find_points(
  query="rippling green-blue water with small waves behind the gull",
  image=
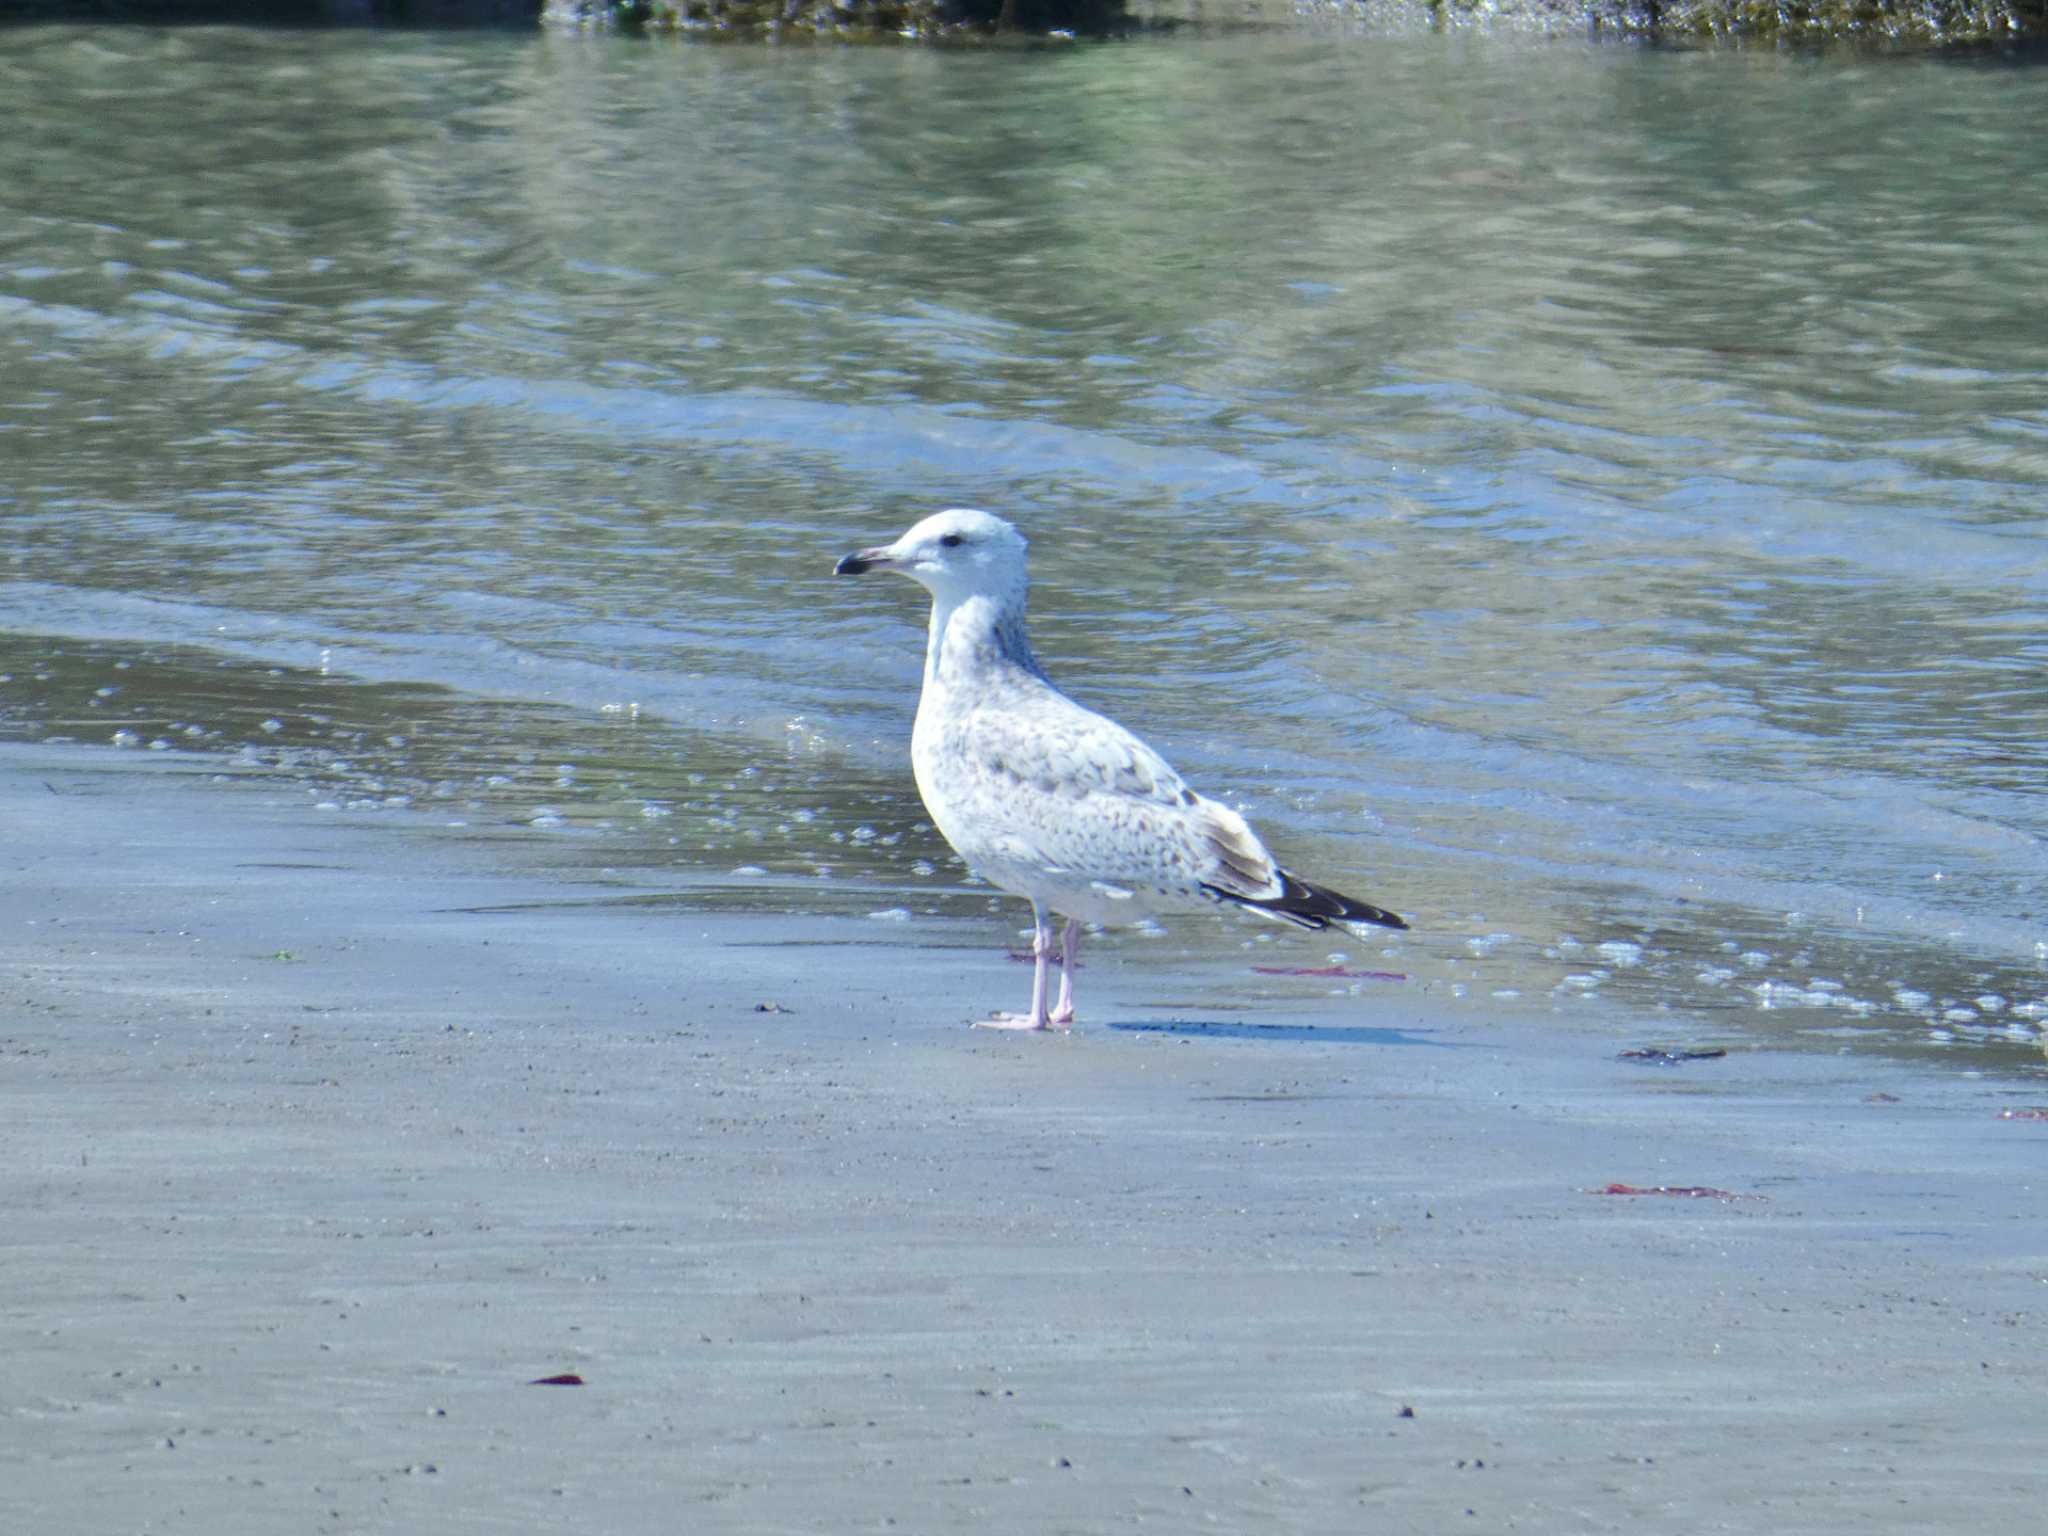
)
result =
(1588, 499)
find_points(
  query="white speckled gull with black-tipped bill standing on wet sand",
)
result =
(1050, 800)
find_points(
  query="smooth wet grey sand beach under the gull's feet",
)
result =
(323, 1138)
